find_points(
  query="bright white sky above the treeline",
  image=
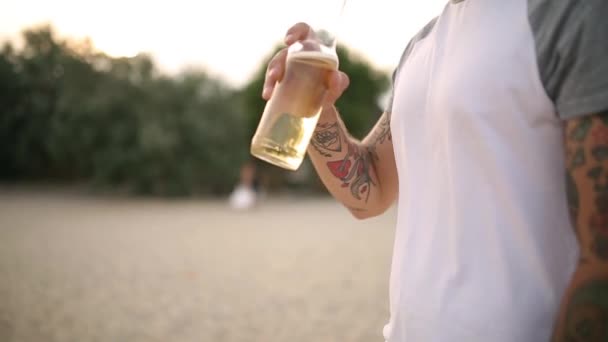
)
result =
(227, 37)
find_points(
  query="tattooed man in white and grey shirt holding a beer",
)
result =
(493, 103)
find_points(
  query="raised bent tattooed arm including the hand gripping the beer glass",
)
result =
(361, 175)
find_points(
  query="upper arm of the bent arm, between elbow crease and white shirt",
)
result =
(380, 144)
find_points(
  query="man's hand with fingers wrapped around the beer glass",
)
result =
(337, 81)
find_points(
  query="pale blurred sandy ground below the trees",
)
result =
(81, 268)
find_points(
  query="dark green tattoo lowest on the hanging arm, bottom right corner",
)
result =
(587, 313)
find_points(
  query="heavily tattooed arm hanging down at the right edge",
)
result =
(584, 313)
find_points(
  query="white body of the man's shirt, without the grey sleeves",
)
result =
(484, 248)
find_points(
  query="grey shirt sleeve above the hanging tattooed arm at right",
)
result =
(571, 38)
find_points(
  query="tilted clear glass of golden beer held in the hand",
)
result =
(291, 114)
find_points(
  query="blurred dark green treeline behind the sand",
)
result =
(69, 113)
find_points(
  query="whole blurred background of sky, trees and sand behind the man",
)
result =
(124, 131)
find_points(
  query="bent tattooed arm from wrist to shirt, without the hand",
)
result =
(361, 175)
